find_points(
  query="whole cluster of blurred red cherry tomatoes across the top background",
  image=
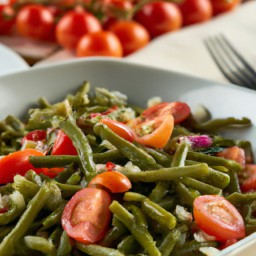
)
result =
(105, 27)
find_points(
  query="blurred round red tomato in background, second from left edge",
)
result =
(35, 21)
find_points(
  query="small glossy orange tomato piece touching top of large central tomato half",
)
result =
(115, 181)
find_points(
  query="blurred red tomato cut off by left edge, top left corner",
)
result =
(7, 19)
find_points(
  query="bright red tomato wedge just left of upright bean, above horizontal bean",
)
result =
(63, 145)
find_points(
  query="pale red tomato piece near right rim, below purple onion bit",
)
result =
(233, 153)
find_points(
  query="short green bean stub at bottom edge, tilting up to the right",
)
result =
(169, 241)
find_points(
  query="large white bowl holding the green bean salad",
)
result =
(18, 91)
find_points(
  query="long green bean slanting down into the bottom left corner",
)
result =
(25, 221)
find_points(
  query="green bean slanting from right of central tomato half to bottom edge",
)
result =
(141, 234)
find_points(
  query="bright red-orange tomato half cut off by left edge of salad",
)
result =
(18, 163)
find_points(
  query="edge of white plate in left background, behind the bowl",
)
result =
(10, 61)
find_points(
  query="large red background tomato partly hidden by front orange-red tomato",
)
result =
(73, 25)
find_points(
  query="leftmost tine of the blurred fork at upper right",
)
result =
(221, 62)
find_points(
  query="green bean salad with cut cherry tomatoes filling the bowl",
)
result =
(95, 175)
